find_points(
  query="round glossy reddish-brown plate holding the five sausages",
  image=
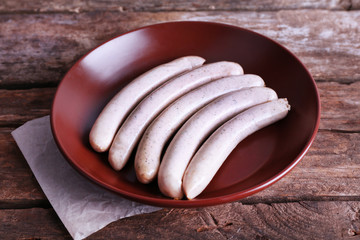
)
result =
(256, 163)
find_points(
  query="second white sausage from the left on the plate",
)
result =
(130, 132)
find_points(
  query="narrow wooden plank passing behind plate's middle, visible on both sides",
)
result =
(340, 103)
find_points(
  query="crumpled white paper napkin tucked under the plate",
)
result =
(82, 206)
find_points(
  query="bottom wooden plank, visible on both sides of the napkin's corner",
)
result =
(298, 220)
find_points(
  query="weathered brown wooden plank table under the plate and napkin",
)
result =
(319, 199)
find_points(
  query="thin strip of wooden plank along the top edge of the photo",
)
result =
(169, 5)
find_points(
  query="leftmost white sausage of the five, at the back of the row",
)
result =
(115, 112)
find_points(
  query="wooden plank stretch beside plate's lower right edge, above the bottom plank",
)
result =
(330, 170)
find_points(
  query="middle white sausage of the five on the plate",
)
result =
(147, 159)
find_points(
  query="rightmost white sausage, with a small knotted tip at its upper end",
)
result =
(220, 144)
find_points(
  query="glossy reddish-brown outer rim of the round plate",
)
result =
(168, 202)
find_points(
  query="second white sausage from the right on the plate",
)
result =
(187, 140)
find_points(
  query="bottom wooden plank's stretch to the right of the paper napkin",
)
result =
(300, 220)
